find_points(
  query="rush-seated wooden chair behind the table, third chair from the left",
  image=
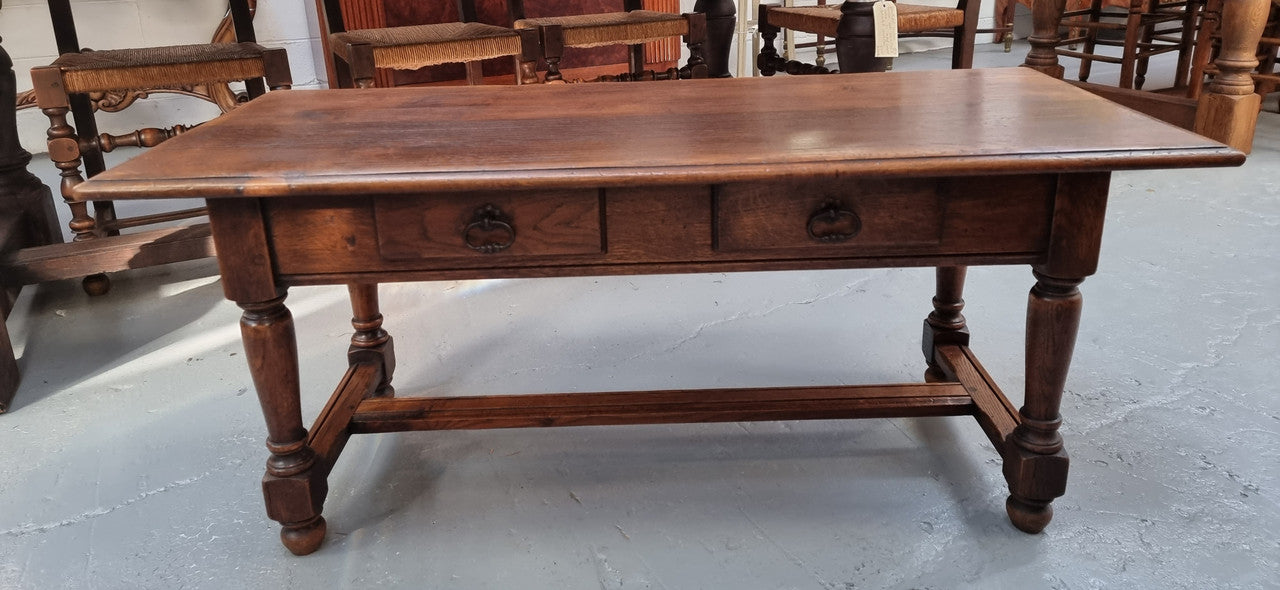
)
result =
(632, 28)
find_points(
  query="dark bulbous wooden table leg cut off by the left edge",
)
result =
(28, 216)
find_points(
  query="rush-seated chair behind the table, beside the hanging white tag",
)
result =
(843, 21)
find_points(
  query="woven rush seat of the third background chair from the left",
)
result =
(614, 29)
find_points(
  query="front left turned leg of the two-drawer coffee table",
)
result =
(295, 486)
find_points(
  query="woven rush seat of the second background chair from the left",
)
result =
(410, 48)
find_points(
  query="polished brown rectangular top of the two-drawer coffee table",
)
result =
(392, 141)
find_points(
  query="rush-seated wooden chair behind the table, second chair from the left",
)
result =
(358, 54)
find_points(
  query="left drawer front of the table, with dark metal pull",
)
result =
(490, 226)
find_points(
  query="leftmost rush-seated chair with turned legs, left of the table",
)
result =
(80, 81)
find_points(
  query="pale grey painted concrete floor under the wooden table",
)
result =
(134, 452)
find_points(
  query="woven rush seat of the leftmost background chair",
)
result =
(161, 67)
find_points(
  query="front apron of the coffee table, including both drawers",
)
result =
(820, 223)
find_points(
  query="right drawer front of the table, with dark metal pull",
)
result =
(842, 216)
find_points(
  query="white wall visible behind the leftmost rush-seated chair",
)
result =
(29, 38)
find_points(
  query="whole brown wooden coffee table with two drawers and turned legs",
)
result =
(867, 171)
